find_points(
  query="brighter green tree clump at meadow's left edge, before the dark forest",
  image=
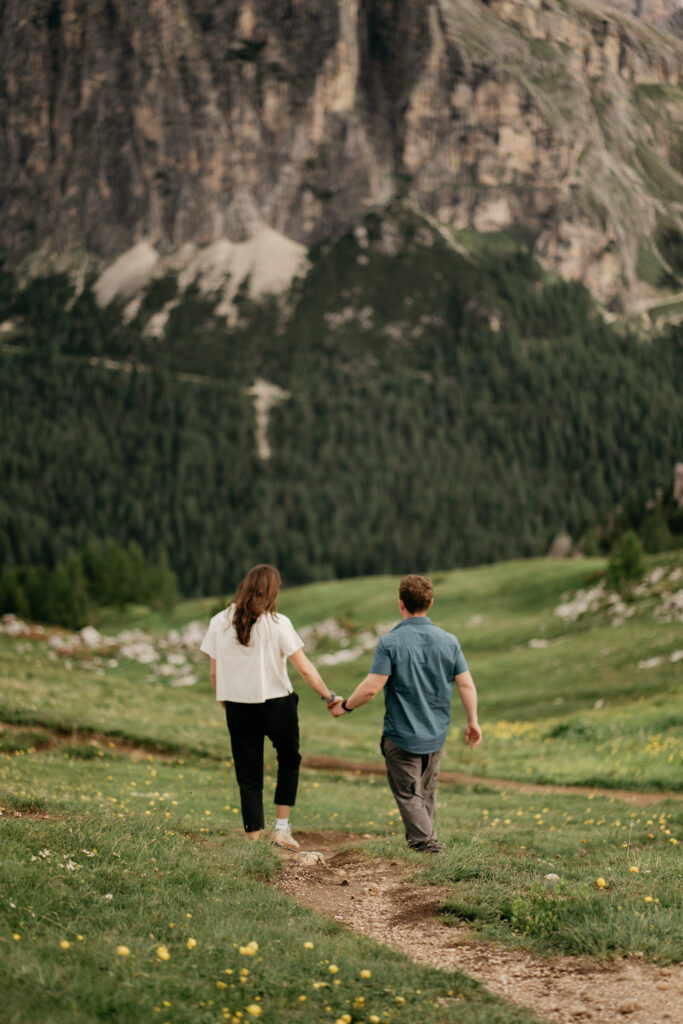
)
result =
(103, 576)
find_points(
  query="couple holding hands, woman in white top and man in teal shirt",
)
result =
(417, 666)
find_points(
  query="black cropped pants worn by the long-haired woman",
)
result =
(249, 726)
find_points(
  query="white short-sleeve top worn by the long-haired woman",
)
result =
(255, 673)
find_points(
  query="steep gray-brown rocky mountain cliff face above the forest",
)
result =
(183, 124)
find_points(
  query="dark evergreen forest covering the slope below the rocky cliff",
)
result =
(479, 411)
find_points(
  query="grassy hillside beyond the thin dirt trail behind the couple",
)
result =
(539, 678)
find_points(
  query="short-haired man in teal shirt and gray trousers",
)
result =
(417, 665)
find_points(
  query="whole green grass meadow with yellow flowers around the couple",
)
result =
(127, 889)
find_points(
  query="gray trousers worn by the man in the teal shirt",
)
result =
(413, 781)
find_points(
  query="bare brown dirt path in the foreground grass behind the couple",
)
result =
(372, 897)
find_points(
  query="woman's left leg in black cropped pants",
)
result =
(245, 723)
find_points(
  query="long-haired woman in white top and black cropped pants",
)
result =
(249, 645)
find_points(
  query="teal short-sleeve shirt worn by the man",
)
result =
(421, 662)
